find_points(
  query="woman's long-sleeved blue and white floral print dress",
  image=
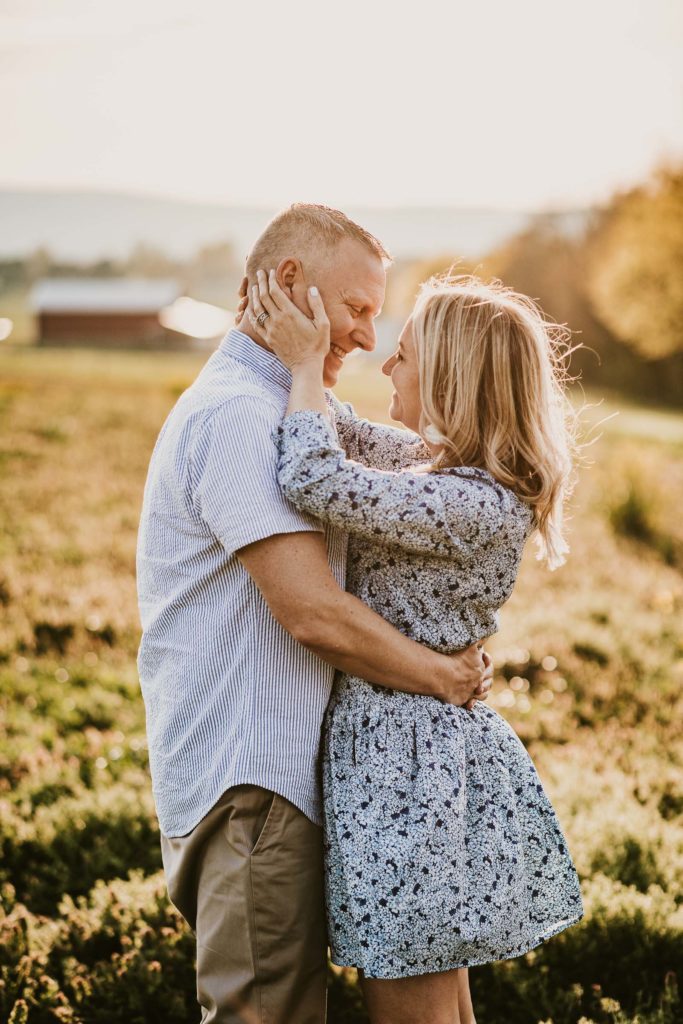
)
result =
(442, 847)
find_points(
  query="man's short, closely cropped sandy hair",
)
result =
(309, 226)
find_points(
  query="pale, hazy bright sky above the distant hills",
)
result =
(533, 105)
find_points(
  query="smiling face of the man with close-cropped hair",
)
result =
(352, 284)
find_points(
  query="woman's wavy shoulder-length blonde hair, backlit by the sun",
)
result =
(493, 376)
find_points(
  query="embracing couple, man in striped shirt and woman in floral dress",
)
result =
(316, 590)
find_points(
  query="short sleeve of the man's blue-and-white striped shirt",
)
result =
(235, 477)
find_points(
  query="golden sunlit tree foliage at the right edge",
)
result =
(635, 265)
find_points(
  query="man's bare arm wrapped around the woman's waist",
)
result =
(293, 575)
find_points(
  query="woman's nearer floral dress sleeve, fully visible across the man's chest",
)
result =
(439, 515)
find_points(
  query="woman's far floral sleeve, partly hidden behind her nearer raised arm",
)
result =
(375, 444)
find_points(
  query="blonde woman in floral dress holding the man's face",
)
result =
(443, 850)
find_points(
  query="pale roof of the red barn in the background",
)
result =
(115, 295)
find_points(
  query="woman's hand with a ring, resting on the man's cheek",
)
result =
(296, 339)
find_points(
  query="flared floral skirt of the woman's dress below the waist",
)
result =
(443, 849)
